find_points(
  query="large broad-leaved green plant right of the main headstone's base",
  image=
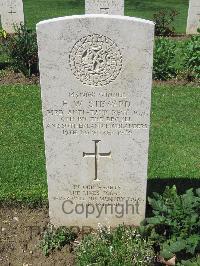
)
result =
(175, 224)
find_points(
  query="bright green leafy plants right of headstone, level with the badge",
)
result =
(177, 59)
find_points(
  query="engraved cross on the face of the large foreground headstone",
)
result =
(97, 156)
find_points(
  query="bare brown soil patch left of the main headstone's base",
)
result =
(20, 233)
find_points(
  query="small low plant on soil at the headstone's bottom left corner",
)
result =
(56, 239)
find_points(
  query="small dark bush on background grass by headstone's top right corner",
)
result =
(164, 20)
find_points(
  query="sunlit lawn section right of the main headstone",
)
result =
(174, 137)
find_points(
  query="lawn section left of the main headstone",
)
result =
(22, 147)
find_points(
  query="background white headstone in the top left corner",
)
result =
(11, 14)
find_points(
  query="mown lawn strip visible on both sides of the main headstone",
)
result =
(174, 143)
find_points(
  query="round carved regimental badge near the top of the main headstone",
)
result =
(95, 60)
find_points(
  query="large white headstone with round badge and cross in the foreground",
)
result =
(96, 75)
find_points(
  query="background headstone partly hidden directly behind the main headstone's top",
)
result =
(111, 7)
